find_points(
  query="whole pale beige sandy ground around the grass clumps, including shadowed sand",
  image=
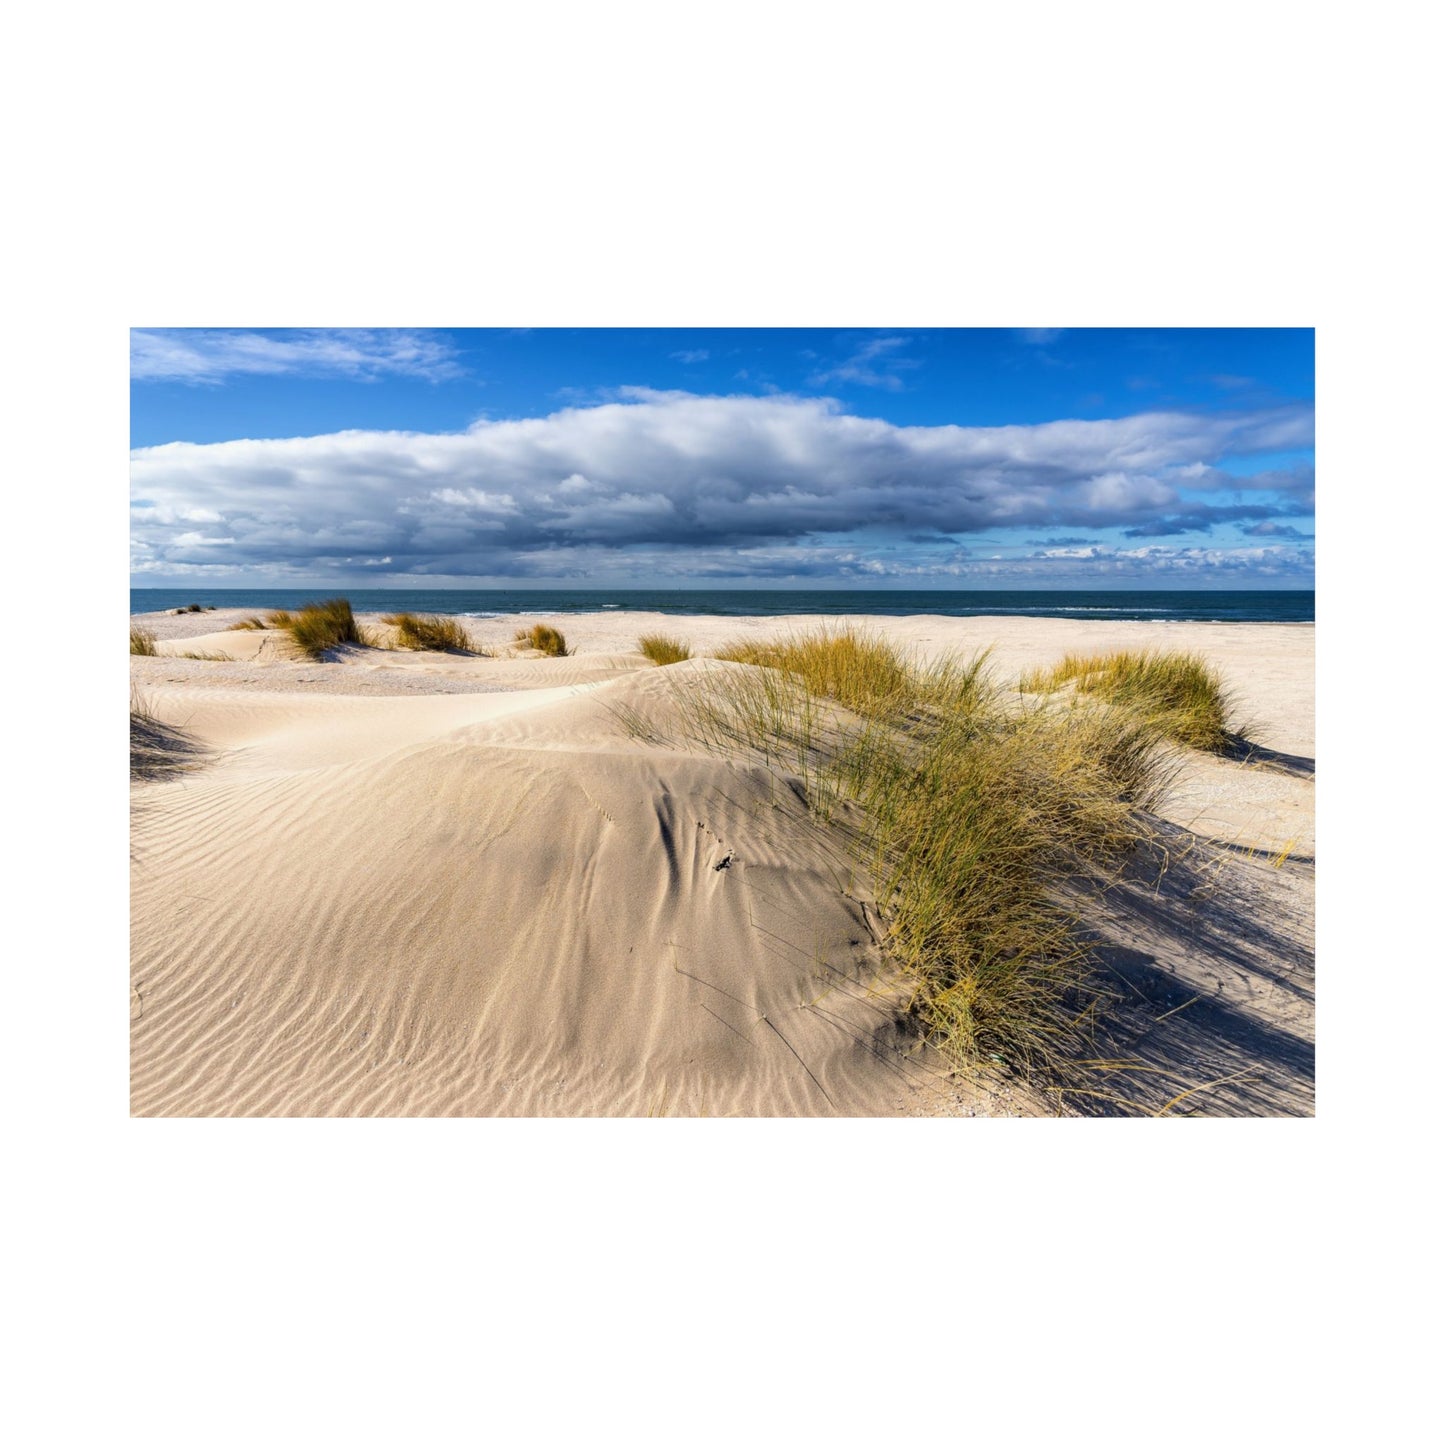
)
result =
(421, 884)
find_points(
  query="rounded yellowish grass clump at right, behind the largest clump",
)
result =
(1178, 691)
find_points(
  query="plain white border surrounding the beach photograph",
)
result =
(775, 164)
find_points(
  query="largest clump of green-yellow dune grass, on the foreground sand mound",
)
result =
(979, 820)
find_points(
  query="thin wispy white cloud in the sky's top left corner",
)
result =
(207, 358)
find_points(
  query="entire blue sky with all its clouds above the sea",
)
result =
(723, 457)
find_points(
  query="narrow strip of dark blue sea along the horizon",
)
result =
(1119, 606)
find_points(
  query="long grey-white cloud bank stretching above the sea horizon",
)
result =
(676, 485)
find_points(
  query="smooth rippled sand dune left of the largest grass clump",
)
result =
(495, 905)
